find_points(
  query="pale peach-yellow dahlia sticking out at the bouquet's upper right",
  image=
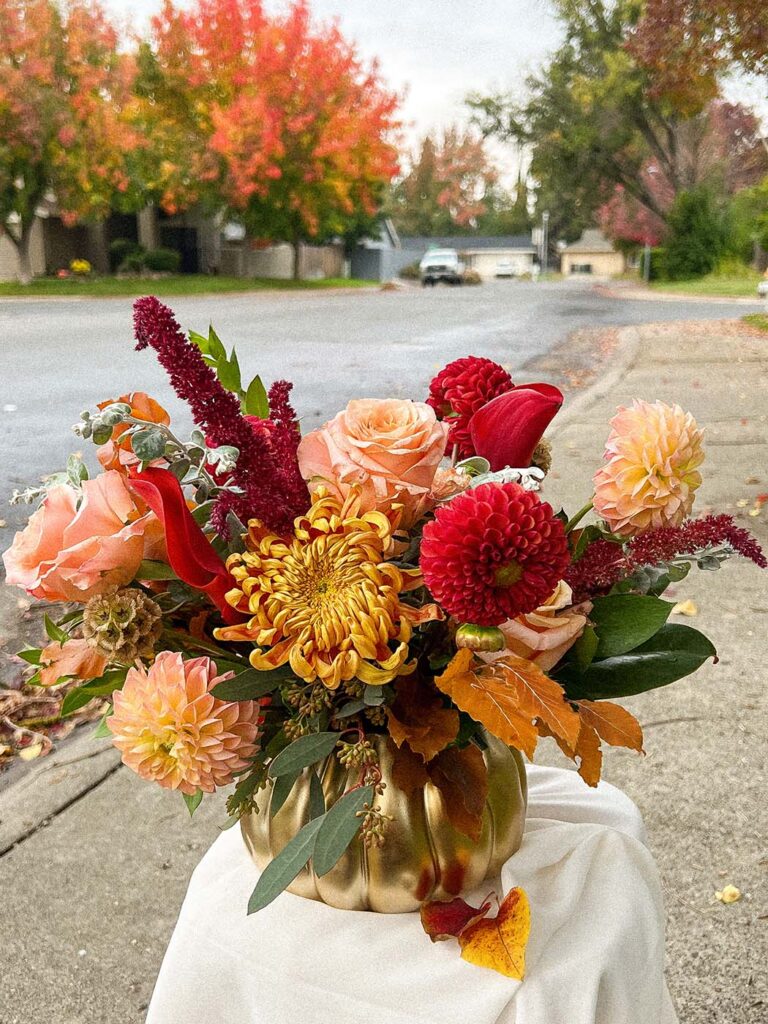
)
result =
(652, 473)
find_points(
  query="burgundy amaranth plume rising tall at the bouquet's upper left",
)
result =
(268, 475)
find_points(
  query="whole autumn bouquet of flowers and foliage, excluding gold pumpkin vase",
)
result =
(251, 602)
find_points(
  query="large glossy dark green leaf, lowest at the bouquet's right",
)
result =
(673, 653)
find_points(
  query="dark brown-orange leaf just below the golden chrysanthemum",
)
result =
(417, 717)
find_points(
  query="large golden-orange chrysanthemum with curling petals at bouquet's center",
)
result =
(326, 602)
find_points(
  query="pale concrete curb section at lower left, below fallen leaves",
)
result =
(53, 785)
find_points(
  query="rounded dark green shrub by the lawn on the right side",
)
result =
(696, 236)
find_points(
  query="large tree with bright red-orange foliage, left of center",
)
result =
(271, 117)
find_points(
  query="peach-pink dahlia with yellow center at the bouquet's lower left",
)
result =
(173, 731)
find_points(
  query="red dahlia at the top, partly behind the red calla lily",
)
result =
(460, 390)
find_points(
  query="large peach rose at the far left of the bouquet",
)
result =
(67, 553)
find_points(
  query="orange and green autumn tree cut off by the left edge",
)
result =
(64, 86)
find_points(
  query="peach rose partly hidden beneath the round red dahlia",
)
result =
(544, 635)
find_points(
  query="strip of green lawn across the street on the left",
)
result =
(177, 285)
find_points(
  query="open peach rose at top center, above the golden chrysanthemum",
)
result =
(389, 447)
